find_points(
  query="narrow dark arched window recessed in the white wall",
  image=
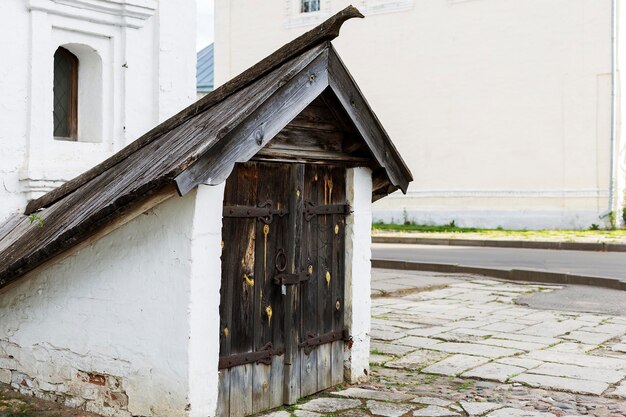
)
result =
(65, 113)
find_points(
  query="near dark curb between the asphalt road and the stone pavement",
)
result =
(514, 274)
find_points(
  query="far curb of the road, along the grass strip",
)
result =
(594, 247)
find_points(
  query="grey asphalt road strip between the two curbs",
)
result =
(602, 264)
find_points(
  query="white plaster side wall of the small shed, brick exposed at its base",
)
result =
(119, 308)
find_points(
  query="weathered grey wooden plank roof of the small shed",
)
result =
(201, 144)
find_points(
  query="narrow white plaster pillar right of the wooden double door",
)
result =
(358, 272)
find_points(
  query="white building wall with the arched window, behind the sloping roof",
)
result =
(83, 79)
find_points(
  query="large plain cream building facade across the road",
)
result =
(502, 108)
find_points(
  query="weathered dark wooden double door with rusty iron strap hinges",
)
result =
(282, 291)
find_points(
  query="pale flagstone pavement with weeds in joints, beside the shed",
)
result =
(462, 347)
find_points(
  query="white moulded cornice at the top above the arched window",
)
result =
(129, 13)
